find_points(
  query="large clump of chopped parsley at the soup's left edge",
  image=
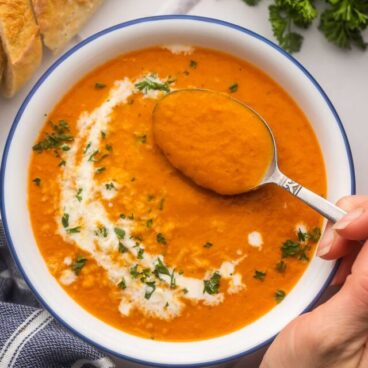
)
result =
(54, 140)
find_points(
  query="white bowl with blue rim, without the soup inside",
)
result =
(96, 50)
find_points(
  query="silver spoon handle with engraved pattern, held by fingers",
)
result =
(320, 204)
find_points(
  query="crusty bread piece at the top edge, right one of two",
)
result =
(60, 20)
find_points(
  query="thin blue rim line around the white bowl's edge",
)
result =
(72, 51)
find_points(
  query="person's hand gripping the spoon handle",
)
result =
(335, 334)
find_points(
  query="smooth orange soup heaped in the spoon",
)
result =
(213, 139)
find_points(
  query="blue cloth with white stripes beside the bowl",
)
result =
(29, 336)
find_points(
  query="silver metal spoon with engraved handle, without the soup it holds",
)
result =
(273, 174)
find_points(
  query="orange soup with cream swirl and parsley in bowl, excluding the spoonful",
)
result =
(136, 243)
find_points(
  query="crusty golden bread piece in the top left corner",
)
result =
(21, 42)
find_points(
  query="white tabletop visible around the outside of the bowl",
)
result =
(342, 74)
